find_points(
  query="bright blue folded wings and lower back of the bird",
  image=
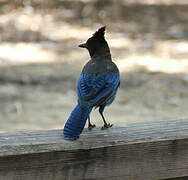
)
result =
(96, 90)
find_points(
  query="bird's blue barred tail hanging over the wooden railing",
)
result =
(76, 122)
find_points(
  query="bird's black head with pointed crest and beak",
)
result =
(97, 43)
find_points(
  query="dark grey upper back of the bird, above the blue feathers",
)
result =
(99, 67)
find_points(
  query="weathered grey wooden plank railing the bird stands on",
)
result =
(143, 151)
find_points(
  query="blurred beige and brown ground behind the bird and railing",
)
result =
(40, 60)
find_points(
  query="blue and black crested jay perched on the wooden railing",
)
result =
(97, 86)
